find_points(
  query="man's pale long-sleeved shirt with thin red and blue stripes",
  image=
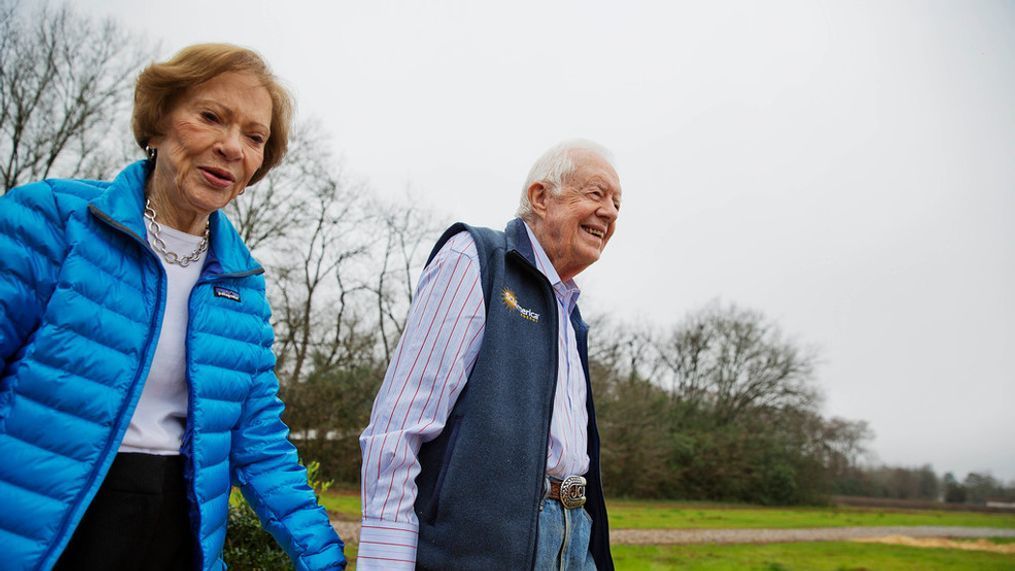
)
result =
(431, 366)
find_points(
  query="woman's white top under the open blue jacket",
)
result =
(161, 418)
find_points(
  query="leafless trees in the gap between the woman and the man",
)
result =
(341, 265)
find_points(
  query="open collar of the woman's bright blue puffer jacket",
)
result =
(123, 204)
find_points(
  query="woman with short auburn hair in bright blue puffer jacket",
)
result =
(138, 381)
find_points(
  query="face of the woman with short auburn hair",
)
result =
(213, 144)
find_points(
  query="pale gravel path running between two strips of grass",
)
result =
(350, 531)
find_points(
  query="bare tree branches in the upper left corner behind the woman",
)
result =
(64, 82)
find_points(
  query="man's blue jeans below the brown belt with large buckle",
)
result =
(564, 539)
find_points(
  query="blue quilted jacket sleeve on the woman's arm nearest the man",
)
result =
(266, 468)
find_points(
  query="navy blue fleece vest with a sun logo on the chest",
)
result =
(482, 480)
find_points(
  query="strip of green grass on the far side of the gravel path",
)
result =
(684, 516)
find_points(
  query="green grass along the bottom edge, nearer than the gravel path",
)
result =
(833, 556)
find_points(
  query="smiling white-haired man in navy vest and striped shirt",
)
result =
(483, 446)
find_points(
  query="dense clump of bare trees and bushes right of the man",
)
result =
(721, 407)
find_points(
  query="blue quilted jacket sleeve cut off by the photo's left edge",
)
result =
(32, 248)
